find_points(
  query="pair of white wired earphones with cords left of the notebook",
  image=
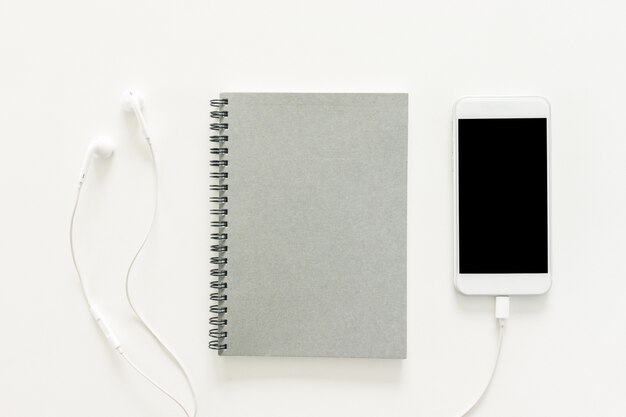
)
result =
(103, 148)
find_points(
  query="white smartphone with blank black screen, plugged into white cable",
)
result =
(501, 163)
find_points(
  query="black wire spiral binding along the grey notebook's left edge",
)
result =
(220, 248)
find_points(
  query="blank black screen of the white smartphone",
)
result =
(503, 196)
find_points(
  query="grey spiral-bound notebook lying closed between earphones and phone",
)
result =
(309, 225)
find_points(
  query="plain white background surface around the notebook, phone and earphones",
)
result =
(63, 67)
